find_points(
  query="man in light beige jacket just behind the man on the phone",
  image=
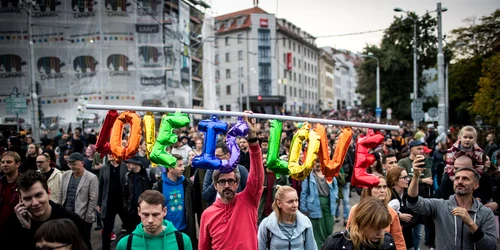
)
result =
(53, 176)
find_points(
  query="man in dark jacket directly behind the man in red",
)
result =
(209, 193)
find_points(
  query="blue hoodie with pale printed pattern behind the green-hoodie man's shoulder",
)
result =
(174, 201)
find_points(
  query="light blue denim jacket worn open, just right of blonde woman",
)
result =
(309, 197)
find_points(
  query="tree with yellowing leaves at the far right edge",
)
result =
(471, 46)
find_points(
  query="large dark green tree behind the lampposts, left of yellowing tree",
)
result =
(396, 64)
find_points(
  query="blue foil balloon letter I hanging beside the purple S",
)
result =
(212, 128)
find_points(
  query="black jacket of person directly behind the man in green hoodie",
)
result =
(145, 182)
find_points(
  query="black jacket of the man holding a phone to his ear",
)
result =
(16, 237)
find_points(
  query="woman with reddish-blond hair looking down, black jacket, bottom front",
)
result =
(366, 229)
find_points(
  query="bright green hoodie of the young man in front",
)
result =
(164, 240)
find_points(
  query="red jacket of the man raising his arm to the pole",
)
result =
(234, 226)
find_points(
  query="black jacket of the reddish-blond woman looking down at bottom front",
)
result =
(340, 240)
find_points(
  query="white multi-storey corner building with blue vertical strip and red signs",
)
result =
(267, 62)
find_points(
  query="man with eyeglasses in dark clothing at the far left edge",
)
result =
(9, 194)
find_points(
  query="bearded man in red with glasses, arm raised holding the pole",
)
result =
(231, 222)
